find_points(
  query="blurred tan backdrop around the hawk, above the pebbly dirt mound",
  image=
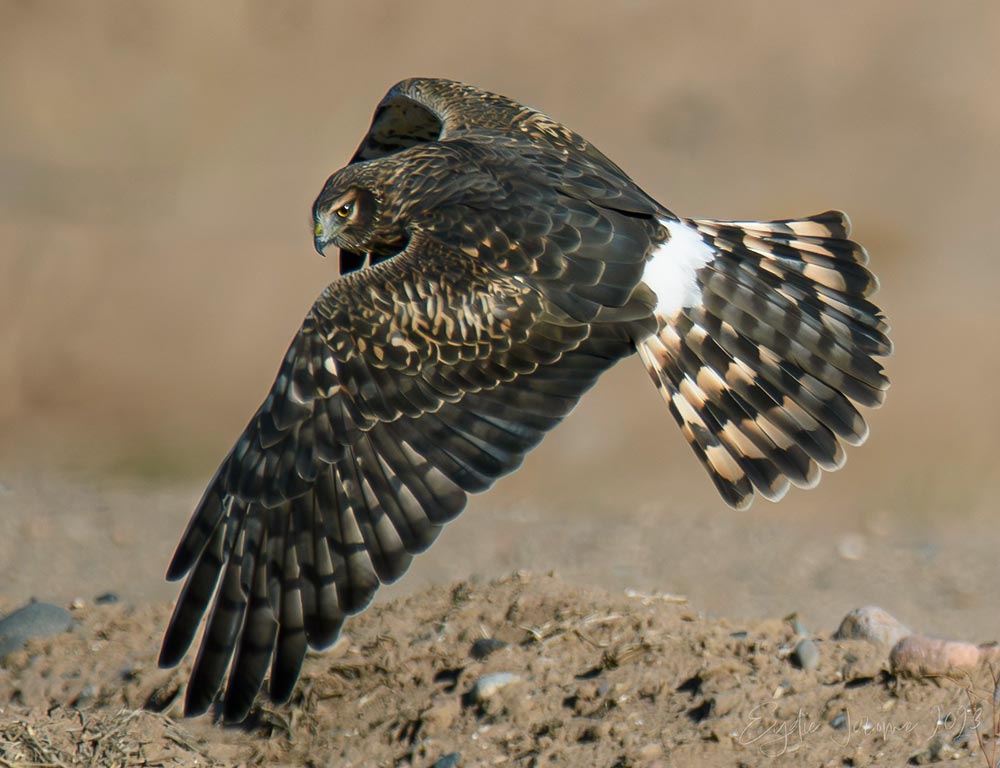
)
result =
(157, 166)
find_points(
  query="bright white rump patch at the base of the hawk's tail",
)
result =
(672, 270)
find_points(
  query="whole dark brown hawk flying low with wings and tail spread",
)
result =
(493, 265)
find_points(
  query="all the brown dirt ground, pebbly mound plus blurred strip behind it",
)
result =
(674, 666)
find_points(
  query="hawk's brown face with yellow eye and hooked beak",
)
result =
(345, 214)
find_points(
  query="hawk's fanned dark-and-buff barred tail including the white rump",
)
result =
(766, 346)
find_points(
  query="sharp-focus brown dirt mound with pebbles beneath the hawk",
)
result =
(525, 670)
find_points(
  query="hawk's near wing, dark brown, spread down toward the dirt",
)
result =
(409, 385)
